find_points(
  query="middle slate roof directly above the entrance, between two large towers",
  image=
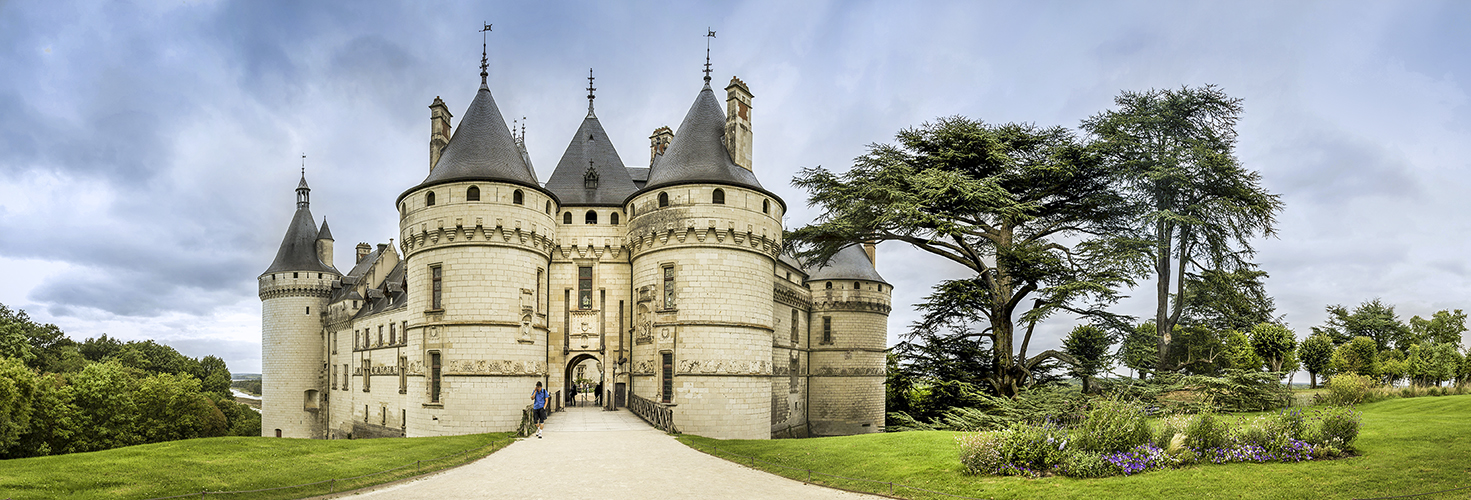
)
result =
(591, 145)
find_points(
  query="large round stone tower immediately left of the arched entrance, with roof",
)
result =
(477, 240)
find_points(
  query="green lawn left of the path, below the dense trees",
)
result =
(233, 464)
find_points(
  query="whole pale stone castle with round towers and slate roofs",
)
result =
(666, 285)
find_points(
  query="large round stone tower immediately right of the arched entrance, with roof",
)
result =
(704, 239)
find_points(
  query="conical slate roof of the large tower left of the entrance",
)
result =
(482, 149)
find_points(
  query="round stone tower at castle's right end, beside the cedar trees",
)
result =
(850, 330)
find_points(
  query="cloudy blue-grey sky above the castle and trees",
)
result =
(149, 151)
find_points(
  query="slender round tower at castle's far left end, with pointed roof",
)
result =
(293, 301)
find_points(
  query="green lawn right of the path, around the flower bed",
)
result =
(1407, 446)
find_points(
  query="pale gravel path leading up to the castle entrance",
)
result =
(589, 454)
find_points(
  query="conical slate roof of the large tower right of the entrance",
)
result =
(698, 154)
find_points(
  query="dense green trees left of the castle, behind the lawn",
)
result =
(61, 396)
